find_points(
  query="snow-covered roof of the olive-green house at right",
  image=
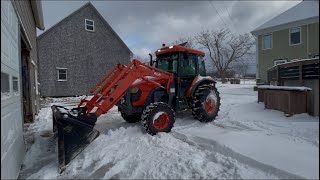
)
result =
(303, 10)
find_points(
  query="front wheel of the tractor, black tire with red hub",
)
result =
(151, 125)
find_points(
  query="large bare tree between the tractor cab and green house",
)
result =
(224, 48)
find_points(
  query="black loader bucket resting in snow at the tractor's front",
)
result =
(74, 132)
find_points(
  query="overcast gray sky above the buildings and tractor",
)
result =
(145, 25)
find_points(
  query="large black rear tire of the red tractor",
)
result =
(198, 101)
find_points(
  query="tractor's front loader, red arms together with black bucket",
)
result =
(75, 127)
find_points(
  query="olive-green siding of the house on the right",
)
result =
(281, 48)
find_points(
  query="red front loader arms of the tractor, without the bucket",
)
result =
(113, 86)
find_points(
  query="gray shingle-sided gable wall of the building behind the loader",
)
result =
(87, 55)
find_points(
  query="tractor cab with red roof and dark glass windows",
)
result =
(185, 63)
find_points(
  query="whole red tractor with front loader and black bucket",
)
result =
(175, 81)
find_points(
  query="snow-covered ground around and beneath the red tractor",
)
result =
(246, 141)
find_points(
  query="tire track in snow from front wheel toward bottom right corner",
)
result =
(212, 145)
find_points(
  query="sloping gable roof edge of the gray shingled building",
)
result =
(100, 16)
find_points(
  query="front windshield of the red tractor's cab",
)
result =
(168, 62)
